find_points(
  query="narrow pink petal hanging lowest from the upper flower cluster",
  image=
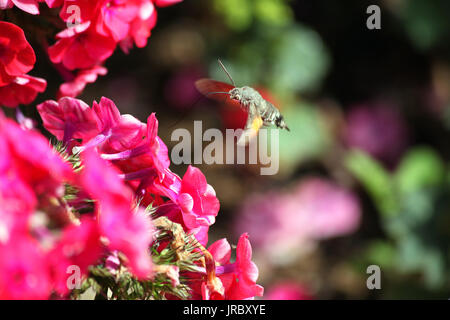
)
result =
(75, 87)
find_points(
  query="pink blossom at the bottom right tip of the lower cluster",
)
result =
(238, 279)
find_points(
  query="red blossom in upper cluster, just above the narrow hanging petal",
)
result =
(81, 47)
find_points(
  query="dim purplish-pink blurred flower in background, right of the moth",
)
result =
(378, 129)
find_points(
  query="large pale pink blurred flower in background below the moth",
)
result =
(284, 225)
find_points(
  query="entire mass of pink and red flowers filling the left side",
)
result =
(101, 206)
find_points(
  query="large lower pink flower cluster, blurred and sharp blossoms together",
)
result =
(87, 206)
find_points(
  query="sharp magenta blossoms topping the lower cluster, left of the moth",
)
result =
(124, 139)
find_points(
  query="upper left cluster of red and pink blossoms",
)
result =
(94, 29)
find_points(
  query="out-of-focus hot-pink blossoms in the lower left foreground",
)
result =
(41, 232)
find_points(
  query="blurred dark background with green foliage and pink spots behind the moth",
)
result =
(369, 113)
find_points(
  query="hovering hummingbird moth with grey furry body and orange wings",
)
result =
(260, 111)
